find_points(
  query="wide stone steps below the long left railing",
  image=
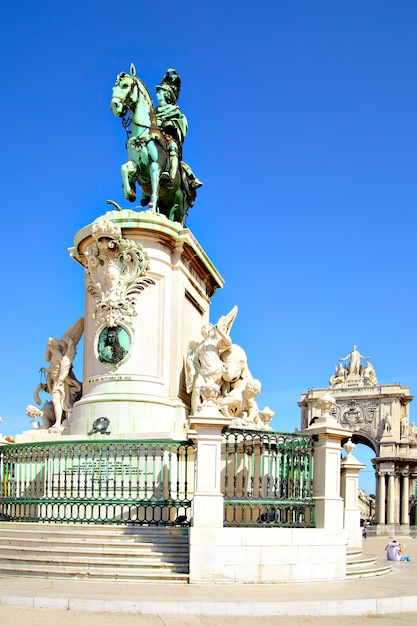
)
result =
(96, 552)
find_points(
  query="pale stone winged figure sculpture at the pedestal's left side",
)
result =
(61, 383)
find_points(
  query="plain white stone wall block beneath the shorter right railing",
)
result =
(266, 555)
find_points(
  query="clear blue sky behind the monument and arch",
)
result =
(302, 120)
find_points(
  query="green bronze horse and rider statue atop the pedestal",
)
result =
(154, 145)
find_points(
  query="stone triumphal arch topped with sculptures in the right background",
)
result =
(378, 415)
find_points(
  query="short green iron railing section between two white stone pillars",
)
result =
(268, 479)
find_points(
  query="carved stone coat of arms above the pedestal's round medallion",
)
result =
(115, 269)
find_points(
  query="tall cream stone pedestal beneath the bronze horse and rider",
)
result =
(148, 289)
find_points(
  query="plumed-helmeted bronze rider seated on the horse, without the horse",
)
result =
(174, 125)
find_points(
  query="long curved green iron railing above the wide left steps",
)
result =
(118, 482)
